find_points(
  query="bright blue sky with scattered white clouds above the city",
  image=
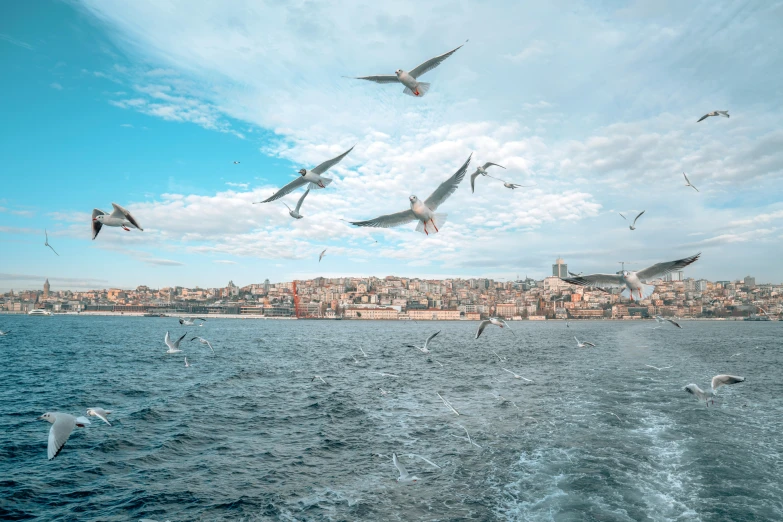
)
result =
(148, 104)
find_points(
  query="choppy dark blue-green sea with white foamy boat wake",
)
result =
(246, 435)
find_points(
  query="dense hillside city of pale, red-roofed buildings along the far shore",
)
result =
(405, 298)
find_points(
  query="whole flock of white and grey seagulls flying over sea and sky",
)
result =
(429, 222)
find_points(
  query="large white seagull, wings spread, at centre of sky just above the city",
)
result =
(424, 212)
